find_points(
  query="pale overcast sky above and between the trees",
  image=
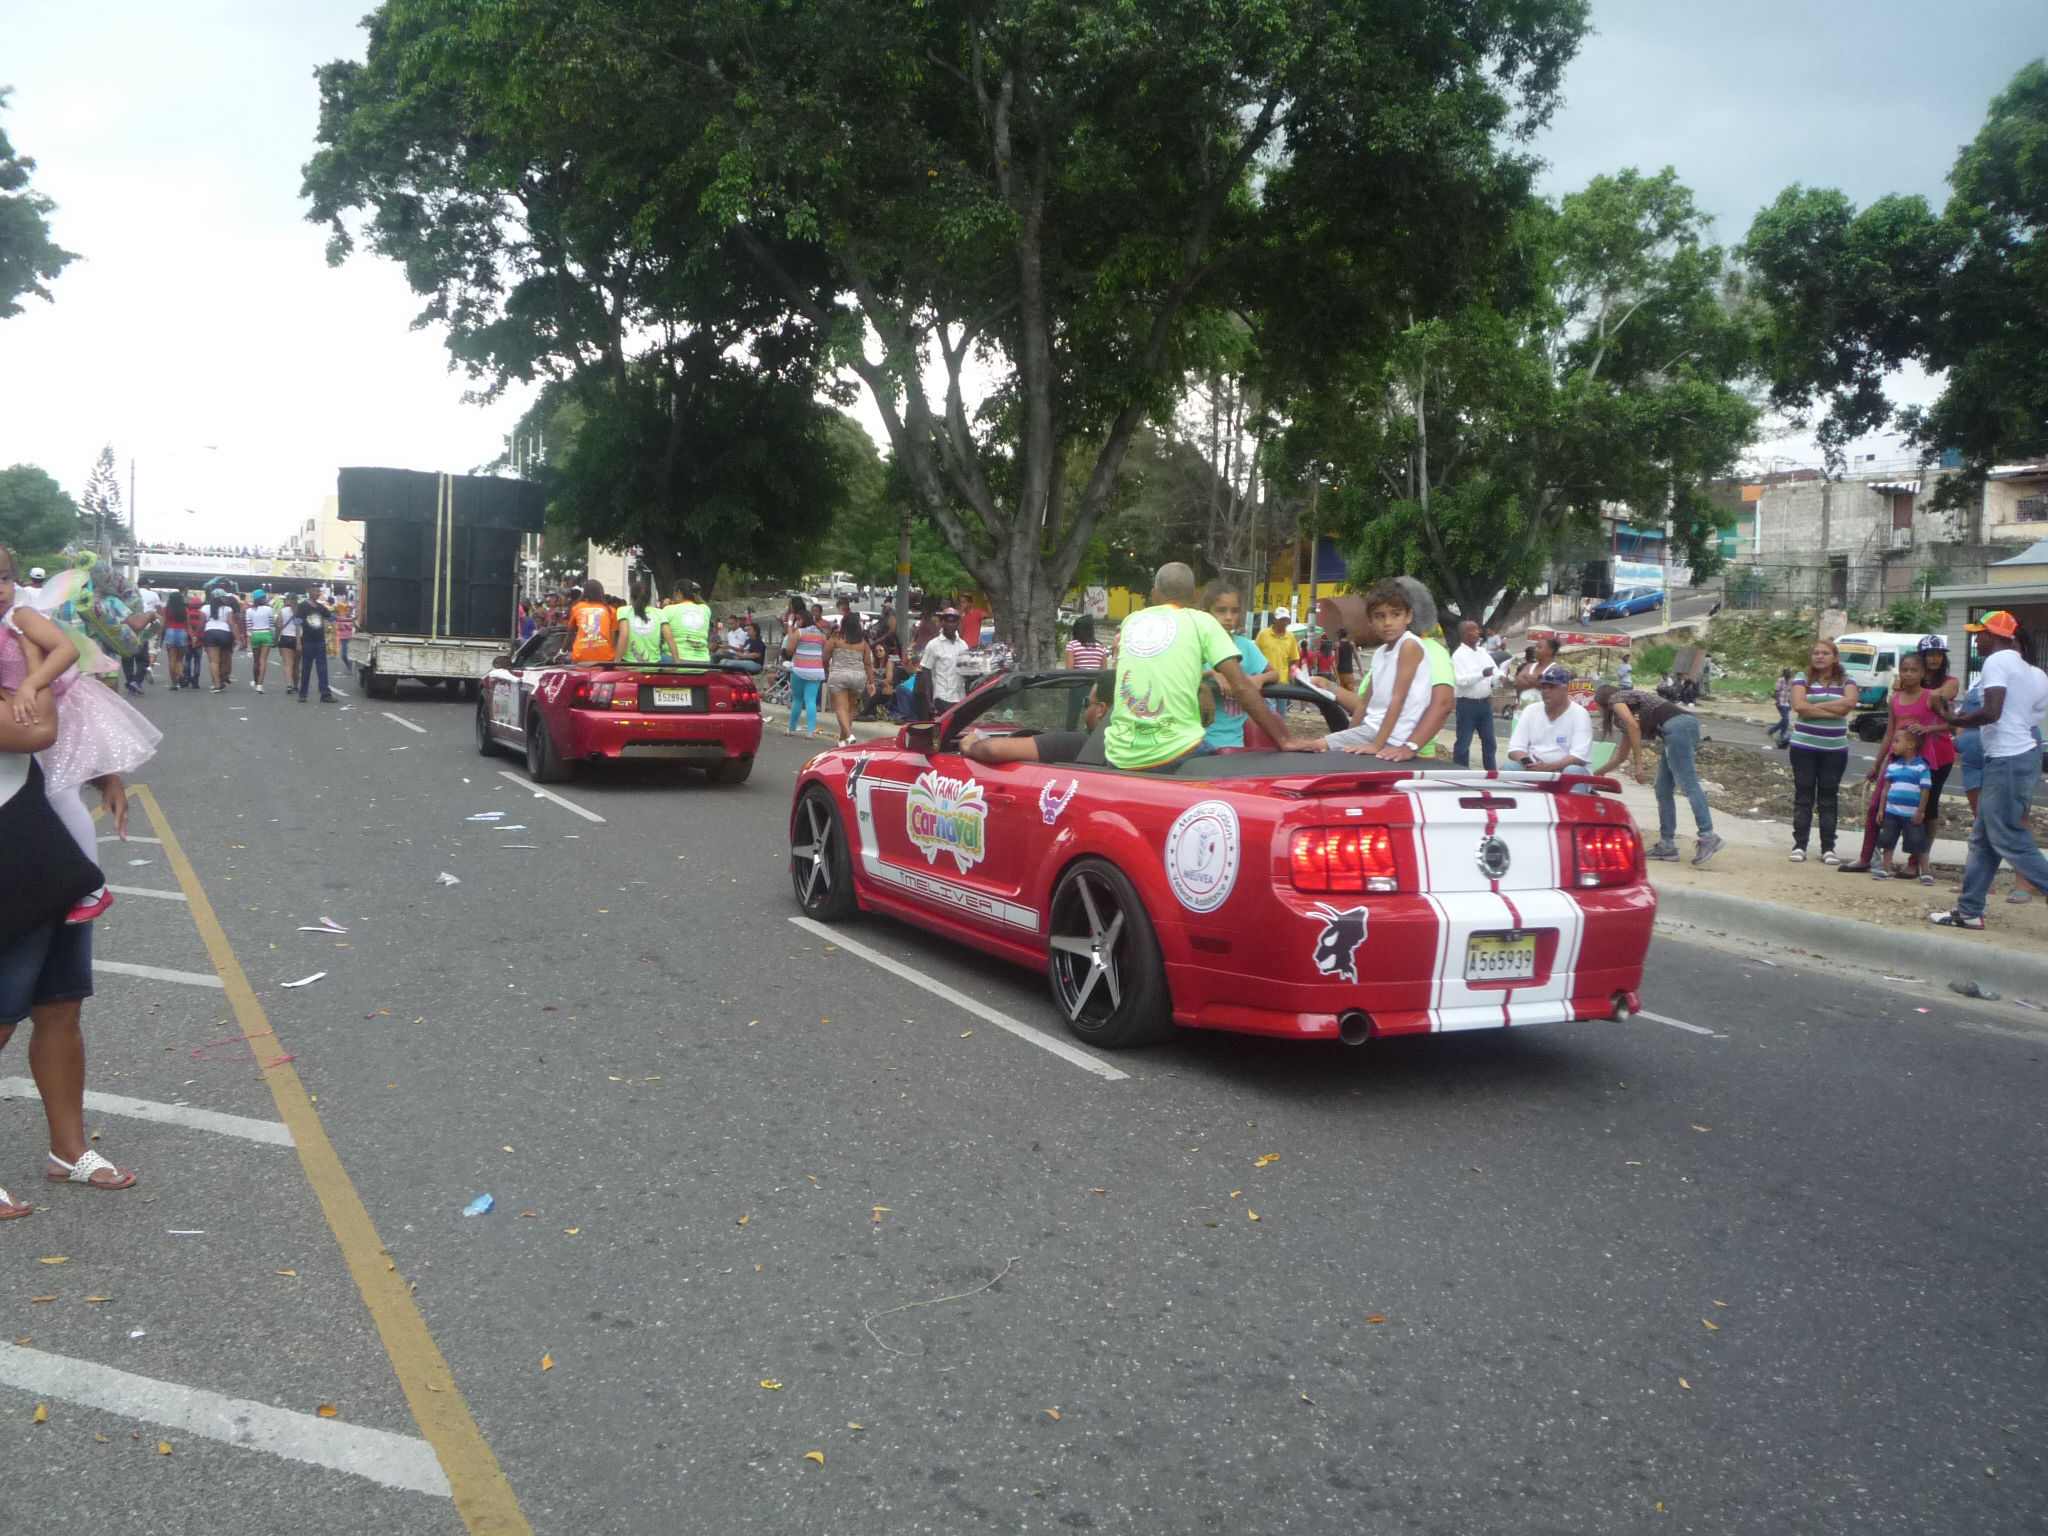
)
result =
(206, 337)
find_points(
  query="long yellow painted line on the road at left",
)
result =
(482, 1494)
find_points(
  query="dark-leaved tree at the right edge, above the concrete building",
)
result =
(1965, 294)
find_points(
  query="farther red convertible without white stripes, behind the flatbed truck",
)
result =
(564, 714)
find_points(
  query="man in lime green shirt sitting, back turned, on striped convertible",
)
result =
(1164, 650)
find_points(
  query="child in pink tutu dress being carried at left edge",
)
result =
(99, 734)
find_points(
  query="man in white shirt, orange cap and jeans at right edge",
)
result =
(2016, 699)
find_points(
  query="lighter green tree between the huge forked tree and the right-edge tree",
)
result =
(1605, 372)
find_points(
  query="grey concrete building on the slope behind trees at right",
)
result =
(1861, 542)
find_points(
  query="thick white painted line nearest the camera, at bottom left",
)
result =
(382, 1457)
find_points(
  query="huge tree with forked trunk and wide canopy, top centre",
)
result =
(1015, 222)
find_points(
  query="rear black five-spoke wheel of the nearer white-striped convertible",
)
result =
(1105, 966)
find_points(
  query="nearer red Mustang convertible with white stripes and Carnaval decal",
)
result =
(1273, 894)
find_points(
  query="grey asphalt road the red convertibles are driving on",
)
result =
(1779, 1277)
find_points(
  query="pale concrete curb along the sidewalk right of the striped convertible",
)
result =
(1887, 951)
